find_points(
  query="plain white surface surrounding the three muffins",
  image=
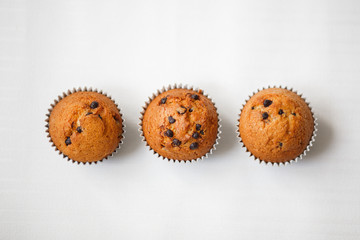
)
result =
(130, 49)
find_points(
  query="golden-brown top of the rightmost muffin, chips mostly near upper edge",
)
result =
(276, 125)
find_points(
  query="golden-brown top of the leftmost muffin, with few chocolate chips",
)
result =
(85, 126)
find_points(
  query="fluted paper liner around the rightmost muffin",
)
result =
(307, 149)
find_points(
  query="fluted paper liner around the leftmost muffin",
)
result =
(85, 89)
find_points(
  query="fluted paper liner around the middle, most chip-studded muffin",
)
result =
(164, 89)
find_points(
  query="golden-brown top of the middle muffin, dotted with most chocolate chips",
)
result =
(180, 124)
